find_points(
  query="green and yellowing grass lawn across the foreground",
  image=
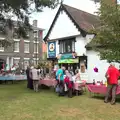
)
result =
(19, 103)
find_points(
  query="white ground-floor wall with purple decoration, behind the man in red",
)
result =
(94, 61)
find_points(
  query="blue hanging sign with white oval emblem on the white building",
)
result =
(52, 49)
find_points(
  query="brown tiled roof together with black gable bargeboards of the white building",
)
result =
(84, 22)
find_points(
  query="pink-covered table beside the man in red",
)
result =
(100, 89)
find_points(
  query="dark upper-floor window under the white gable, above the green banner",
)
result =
(67, 46)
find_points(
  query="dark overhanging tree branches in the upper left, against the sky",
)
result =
(21, 9)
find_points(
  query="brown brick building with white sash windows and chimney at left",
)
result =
(23, 51)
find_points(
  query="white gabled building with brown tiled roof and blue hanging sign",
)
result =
(69, 34)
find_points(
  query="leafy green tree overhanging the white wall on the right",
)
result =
(107, 39)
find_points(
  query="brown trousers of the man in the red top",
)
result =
(111, 92)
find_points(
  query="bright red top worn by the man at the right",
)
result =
(113, 75)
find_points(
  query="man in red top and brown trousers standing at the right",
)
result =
(112, 76)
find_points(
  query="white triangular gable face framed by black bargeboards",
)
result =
(63, 27)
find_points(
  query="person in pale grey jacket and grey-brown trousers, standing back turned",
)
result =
(35, 78)
